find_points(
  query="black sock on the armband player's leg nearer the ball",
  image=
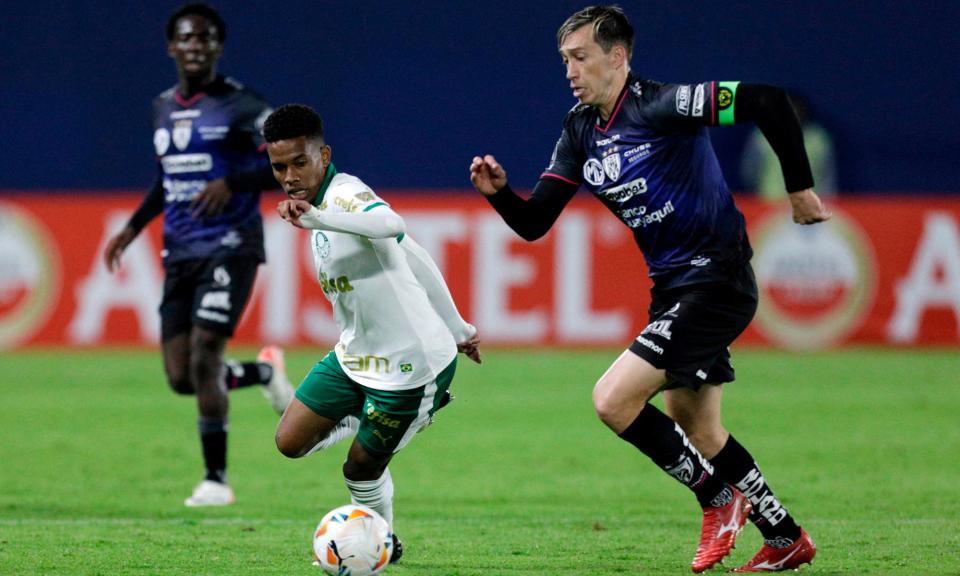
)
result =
(664, 442)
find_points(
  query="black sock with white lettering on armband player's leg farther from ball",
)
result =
(735, 465)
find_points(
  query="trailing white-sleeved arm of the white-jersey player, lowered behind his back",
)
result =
(429, 276)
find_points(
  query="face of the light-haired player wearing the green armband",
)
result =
(592, 73)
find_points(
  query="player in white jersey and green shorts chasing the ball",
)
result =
(400, 330)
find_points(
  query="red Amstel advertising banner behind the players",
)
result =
(884, 270)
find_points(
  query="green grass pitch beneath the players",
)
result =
(516, 477)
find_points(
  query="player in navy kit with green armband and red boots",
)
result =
(641, 147)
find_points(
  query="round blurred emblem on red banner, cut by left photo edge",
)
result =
(29, 275)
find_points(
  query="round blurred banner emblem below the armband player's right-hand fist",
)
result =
(816, 283)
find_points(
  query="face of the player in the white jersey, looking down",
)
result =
(299, 165)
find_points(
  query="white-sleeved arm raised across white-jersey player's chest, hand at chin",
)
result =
(381, 222)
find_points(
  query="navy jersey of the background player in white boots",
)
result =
(213, 134)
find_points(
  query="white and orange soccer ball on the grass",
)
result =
(352, 540)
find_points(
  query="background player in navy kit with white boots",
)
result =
(211, 169)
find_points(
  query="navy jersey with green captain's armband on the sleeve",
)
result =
(652, 164)
